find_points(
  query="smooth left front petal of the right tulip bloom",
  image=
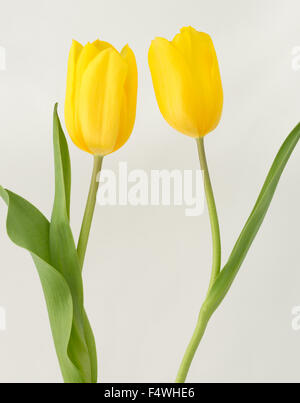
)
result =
(173, 85)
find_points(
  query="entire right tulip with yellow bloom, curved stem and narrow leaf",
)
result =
(188, 89)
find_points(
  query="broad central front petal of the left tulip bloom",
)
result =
(100, 102)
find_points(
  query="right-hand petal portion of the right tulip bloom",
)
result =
(199, 53)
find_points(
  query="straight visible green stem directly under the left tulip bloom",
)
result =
(89, 210)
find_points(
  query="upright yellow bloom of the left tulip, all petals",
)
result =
(101, 96)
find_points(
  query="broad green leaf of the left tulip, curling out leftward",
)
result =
(29, 229)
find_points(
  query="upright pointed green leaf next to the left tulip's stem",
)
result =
(64, 257)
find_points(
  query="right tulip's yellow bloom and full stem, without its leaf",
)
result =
(188, 89)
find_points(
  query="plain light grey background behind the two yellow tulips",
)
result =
(147, 268)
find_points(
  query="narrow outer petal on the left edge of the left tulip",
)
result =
(75, 51)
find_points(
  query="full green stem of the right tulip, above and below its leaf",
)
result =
(204, 315)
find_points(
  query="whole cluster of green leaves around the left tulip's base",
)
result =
(54, 253)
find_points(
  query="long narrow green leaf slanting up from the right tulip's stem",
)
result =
(239, 252)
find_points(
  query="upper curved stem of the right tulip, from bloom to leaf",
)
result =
(213, 216)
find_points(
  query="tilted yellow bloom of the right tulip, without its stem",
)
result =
(187, 82)
